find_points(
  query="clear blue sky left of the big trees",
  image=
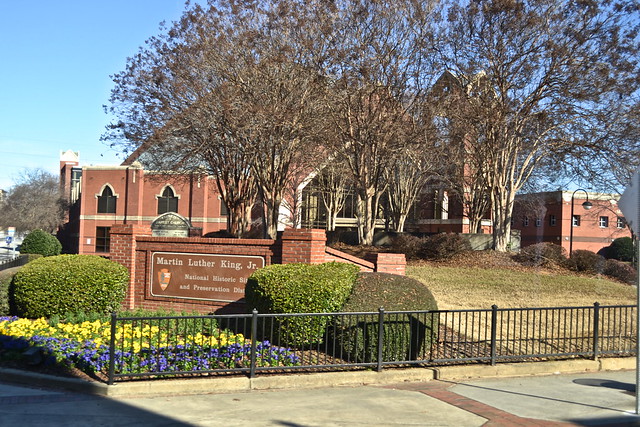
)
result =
(56, 57)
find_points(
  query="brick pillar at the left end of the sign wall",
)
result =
(123, 251)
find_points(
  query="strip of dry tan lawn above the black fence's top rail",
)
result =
(467, 283)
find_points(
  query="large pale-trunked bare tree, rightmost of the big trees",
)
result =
(555, 78)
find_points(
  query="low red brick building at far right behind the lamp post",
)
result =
(546, 217)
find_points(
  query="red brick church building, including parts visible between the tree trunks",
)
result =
(103, 196)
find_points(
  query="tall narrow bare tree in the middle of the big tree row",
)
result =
(370, 53)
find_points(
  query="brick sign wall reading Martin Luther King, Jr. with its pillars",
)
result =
(208, 275)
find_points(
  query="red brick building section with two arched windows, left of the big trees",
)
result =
(102, 196)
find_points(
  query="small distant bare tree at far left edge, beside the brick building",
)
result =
(35, 201)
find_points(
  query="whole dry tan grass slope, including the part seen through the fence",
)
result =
(479, 280)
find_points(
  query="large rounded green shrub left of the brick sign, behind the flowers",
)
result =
(69, 283)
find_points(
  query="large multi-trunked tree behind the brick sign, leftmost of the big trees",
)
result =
(223, 88)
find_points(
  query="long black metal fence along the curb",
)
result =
(259, 343)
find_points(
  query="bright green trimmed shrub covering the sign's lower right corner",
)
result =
(300, 288)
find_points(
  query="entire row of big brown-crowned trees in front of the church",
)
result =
(260, 92)
